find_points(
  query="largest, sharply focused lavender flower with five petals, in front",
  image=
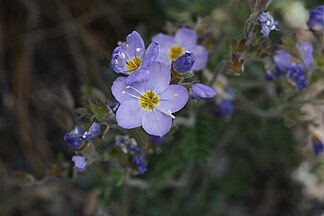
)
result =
(149, 104)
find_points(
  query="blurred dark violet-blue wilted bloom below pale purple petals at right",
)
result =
(296, 76)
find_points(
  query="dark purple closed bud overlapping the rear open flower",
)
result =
(184, 63)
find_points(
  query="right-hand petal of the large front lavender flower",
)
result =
(174, 99)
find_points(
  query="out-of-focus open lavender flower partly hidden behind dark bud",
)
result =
(184, 40)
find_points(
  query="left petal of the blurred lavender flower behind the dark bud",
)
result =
(165, 42)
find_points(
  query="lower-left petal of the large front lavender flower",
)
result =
(129, 114)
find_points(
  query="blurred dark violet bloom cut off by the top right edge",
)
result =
(316, 18)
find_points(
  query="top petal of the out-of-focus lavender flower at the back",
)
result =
(186, 37)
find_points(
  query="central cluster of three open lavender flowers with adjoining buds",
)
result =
(146, 96)
